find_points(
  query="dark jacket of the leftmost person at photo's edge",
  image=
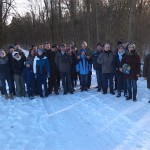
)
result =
(5, 71)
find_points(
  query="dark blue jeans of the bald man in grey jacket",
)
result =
(107, 80)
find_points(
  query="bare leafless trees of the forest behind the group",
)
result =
(94, 21)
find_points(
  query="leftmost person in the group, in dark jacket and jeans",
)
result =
(5, 75)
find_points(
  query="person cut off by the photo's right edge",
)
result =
(146, 71)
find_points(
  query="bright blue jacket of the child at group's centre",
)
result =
(83, 66)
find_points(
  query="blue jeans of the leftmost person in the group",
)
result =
(10, 85)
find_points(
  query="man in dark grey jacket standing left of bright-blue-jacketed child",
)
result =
(64, 64)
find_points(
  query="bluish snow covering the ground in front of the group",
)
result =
(83, 121)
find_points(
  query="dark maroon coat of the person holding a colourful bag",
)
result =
(133, 60)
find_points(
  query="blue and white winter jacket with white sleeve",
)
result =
(41, 65)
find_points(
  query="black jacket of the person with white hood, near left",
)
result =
(17, 66)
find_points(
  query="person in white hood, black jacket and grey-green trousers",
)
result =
(17, 68)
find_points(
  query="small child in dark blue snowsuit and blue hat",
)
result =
(29, 79)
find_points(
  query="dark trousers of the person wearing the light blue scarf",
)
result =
(121, 83)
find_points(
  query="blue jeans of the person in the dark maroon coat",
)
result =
(132, 87)
